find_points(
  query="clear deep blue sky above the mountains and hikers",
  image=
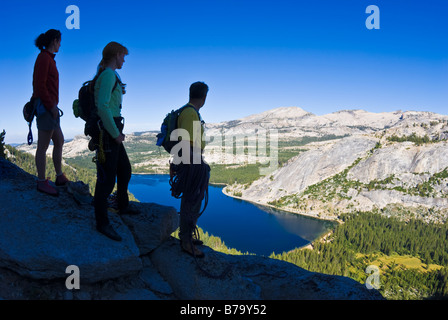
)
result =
(254, 55)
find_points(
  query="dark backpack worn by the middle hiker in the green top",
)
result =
(84, 107)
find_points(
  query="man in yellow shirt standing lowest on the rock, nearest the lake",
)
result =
(191, 179)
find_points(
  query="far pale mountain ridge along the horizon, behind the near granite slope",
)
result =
(305, 124)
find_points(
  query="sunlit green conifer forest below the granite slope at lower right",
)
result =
(366, 233)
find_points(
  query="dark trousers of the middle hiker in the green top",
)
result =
(116, 167)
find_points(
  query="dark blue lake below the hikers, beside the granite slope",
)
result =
(240, 224)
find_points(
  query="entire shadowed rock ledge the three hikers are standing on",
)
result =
(40, 236)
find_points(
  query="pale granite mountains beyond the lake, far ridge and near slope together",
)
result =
(395, 162)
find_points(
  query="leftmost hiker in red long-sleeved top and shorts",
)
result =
(46, 97)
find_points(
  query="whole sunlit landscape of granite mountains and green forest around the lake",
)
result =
(348, 165)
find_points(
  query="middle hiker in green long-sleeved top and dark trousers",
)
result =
(115, 164)
